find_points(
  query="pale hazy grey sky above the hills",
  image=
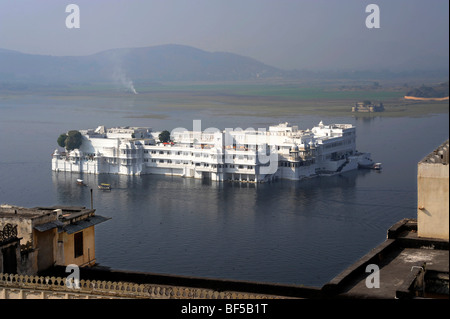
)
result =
(284, 33)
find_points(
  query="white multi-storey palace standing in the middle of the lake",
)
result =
(282, 151)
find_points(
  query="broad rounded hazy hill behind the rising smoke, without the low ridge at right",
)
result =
(159, 63)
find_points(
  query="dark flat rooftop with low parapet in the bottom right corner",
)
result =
(409, 267)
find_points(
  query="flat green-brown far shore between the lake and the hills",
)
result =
(247, 99)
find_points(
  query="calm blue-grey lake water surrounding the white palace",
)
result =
(303, 232)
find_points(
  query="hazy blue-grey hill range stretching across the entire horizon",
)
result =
(164, 63)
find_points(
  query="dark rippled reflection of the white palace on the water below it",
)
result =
(162, 191)
